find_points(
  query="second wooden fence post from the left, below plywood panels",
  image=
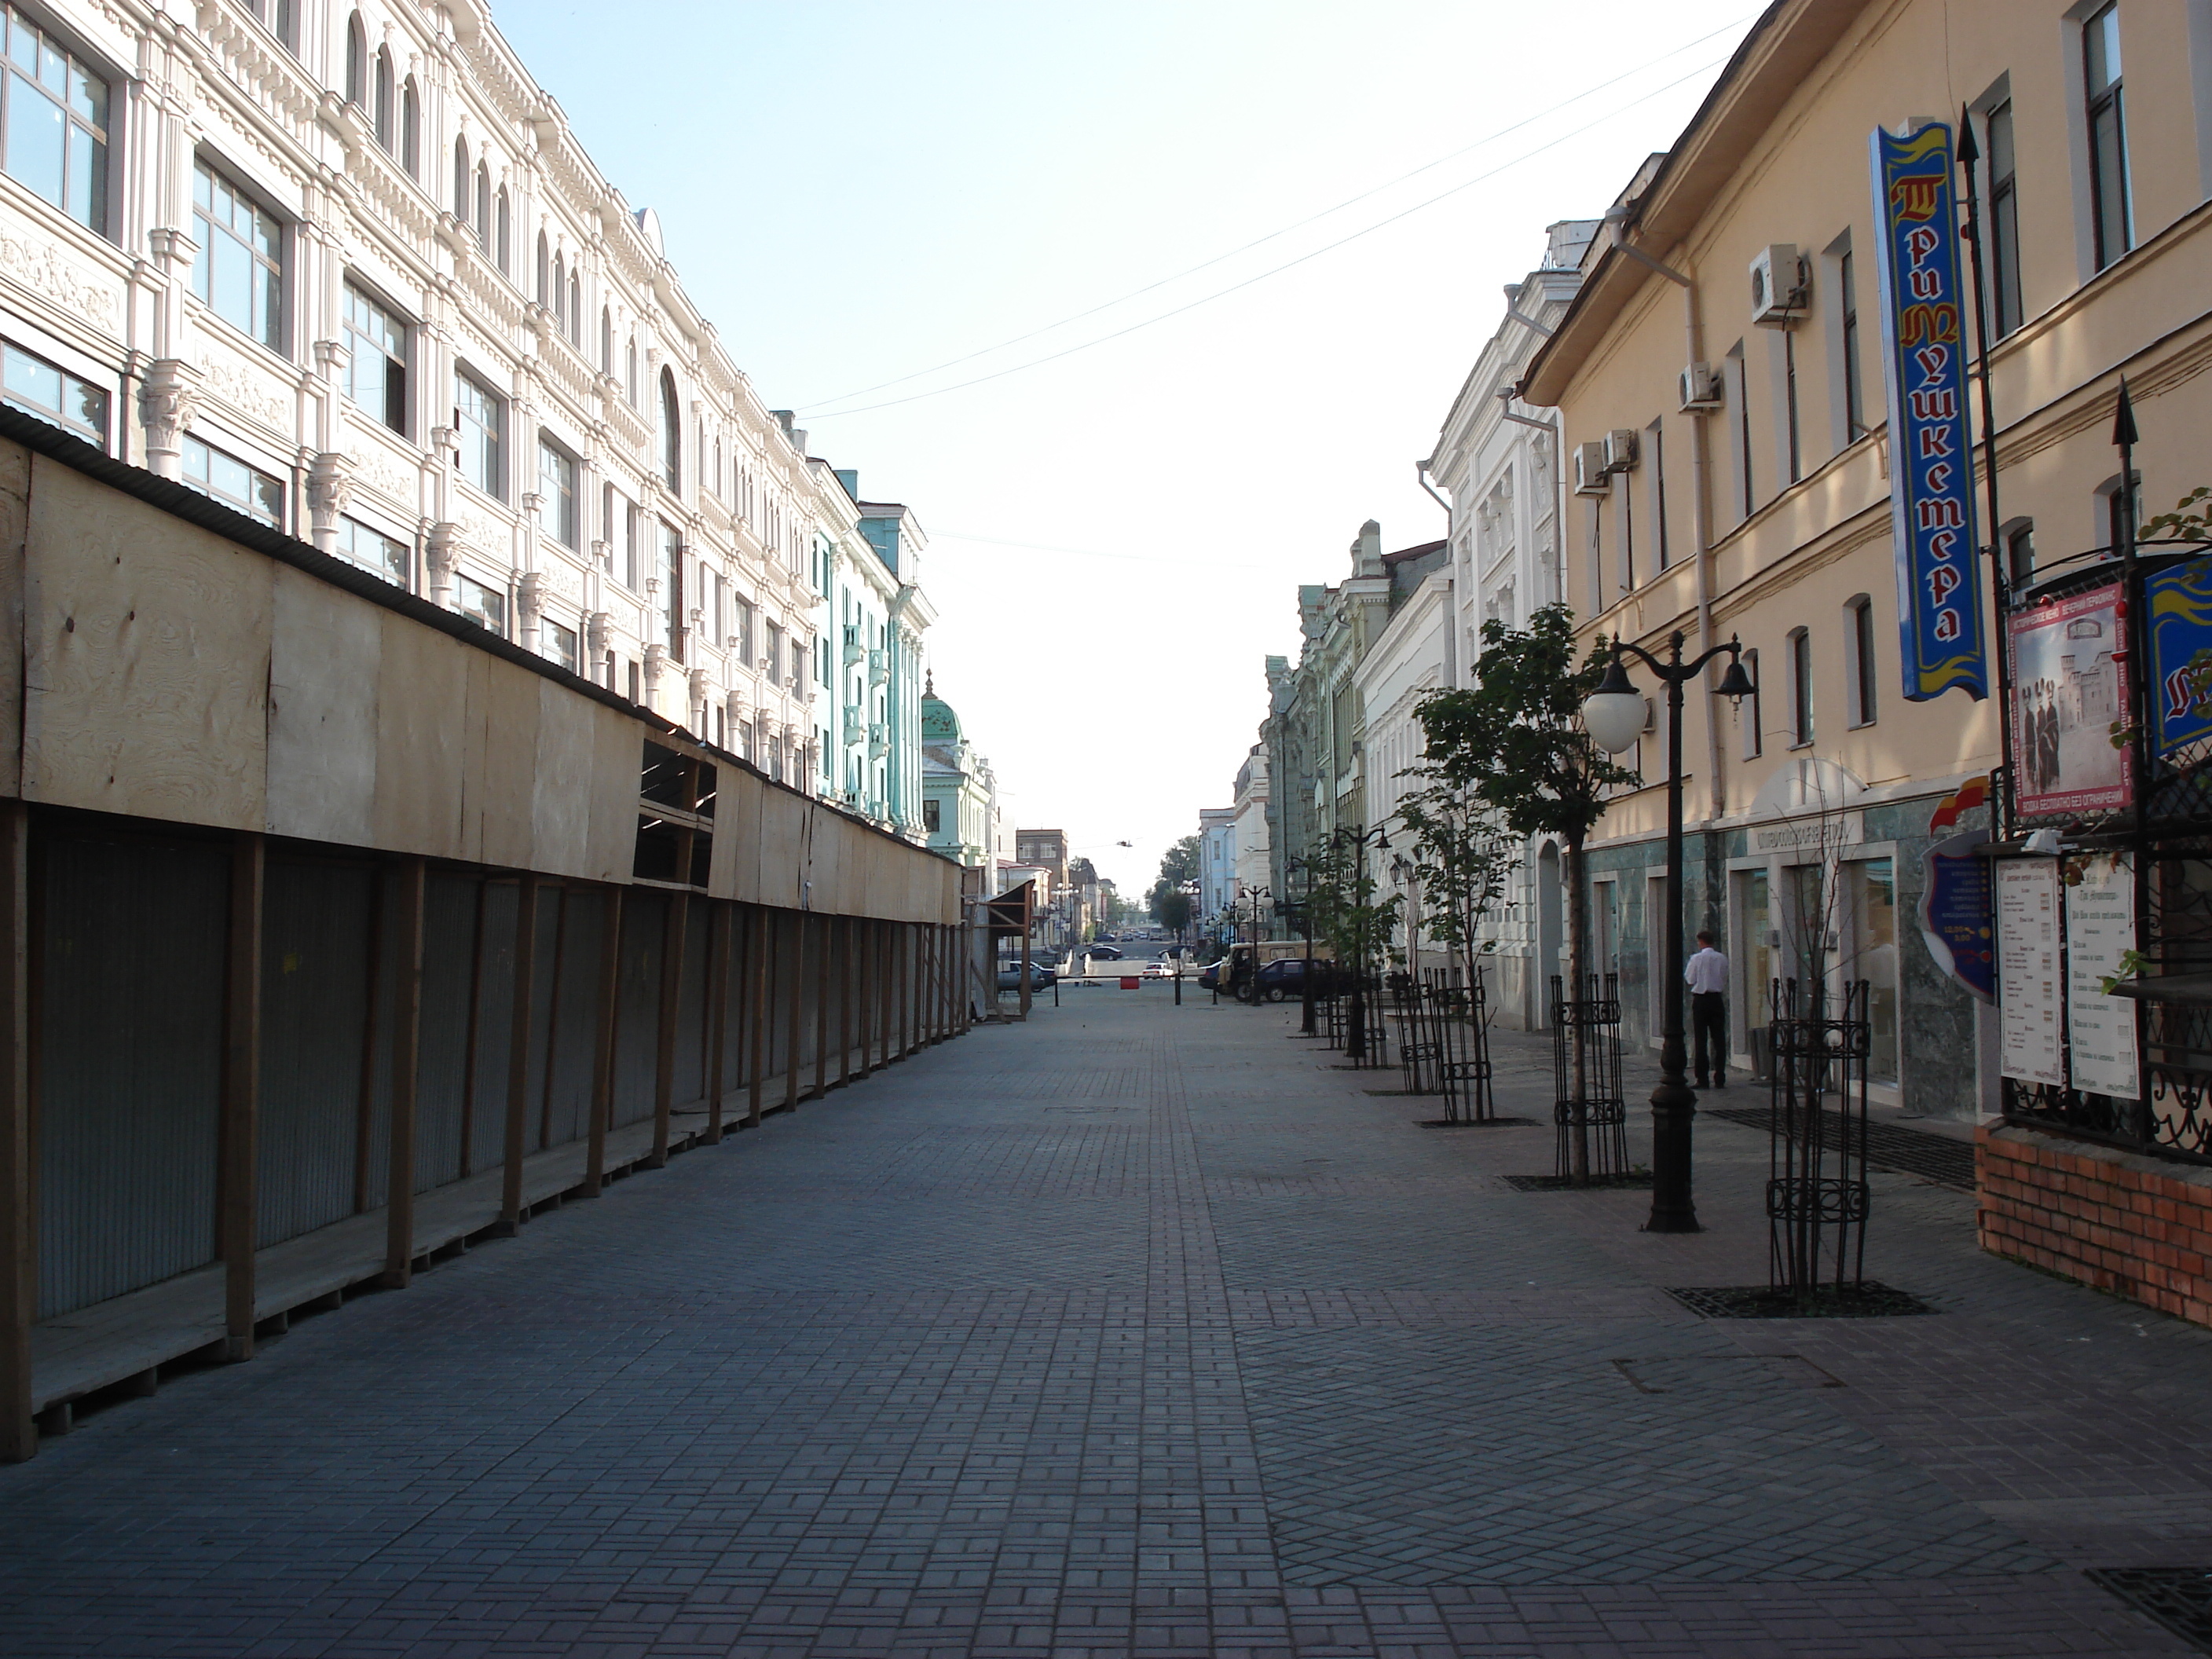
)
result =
(242, 1096)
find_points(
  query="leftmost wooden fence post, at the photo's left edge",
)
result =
(19, 1182)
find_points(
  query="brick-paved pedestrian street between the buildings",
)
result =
(1140, 1331)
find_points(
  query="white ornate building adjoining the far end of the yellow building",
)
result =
(1499, 461)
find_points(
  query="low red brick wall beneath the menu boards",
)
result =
(2129, 1224)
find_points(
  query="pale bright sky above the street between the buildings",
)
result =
(868, 196)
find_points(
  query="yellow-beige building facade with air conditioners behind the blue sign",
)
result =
(1724, 413)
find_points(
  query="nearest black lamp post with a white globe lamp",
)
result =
(1616, 718)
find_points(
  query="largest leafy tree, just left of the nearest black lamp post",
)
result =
(1516, 744)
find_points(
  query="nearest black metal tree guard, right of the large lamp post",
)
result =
(1817, 1176)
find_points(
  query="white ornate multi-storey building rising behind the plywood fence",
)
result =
(351, 271)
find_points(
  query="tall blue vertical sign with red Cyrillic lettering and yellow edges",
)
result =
(1930, 444)
